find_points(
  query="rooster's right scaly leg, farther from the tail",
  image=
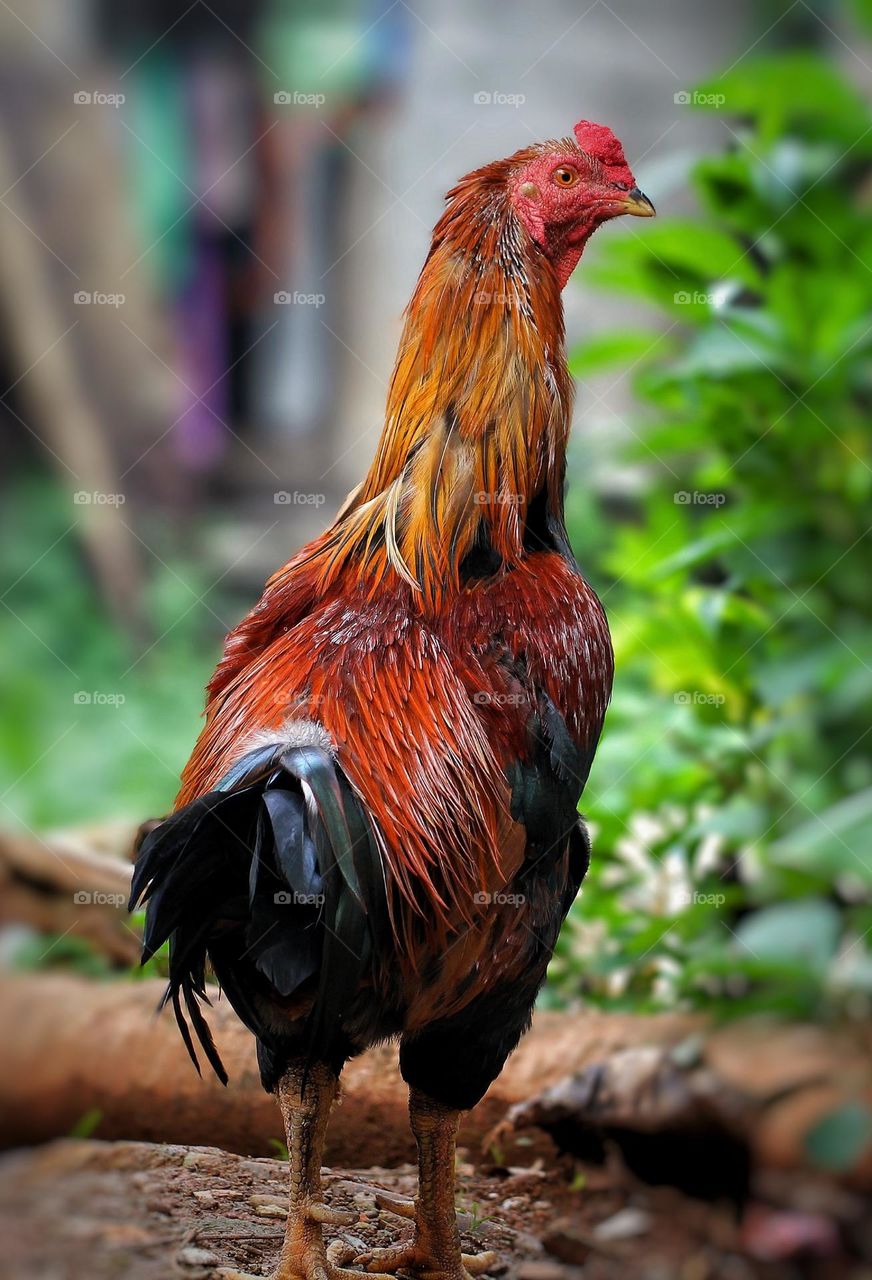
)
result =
(435, 1252)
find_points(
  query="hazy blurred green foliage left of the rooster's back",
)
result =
(118, 751)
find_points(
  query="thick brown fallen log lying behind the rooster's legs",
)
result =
(81, 1048)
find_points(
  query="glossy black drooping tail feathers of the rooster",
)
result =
(277, 879)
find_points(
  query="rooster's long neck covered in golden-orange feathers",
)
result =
(478, 413)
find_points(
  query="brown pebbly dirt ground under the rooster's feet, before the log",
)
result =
(84, 1210)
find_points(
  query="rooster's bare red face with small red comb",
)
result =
(561, 218)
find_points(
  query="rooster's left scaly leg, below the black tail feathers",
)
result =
(307, 1114)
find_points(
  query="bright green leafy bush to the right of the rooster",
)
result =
(732, 799)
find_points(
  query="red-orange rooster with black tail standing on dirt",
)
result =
(377, 835)
